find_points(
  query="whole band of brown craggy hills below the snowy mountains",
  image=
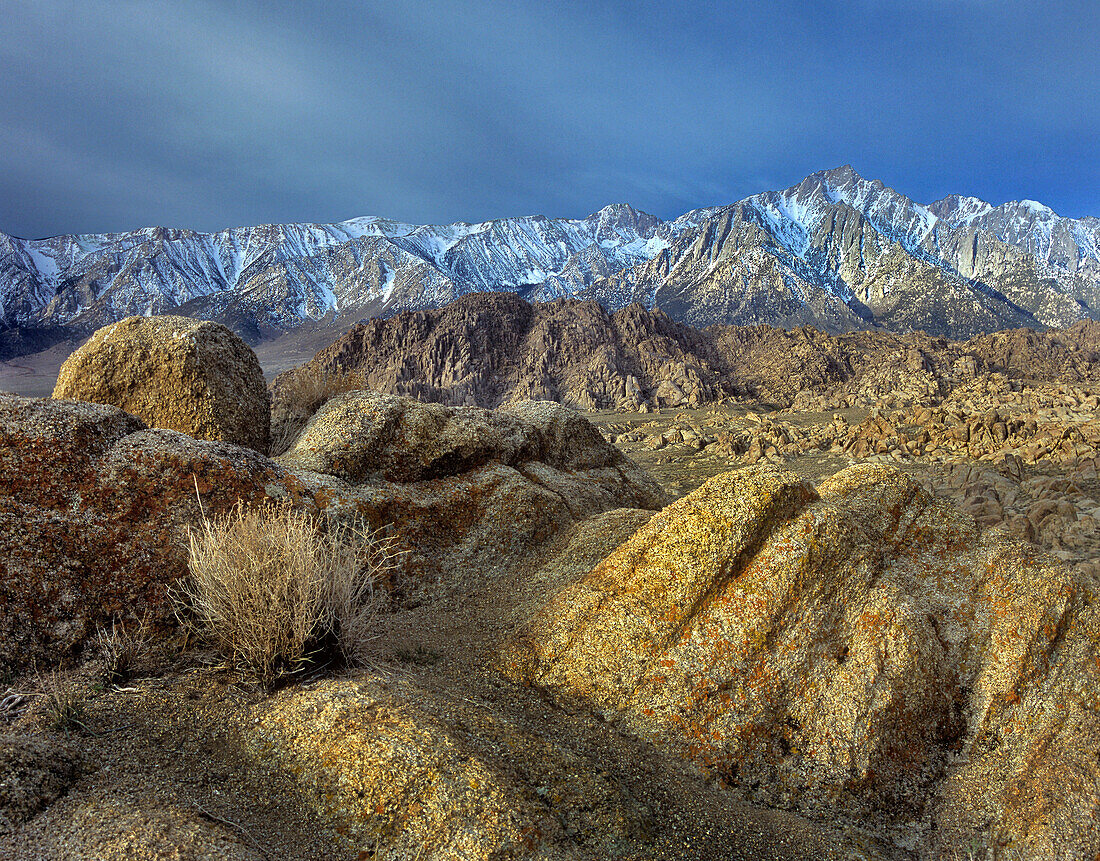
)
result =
(489, 349)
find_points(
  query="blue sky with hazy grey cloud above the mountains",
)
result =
(127, 114)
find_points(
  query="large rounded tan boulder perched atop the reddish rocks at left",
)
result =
(172, 372)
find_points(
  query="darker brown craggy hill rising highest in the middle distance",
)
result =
(492, 349)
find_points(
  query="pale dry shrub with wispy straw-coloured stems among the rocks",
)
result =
(268, 584)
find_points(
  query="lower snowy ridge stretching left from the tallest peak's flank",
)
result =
(289, 273)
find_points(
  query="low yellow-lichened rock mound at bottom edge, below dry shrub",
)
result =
(390, 777)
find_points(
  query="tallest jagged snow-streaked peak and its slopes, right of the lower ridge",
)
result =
(841, 252)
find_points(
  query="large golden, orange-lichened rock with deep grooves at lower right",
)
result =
(856, 649)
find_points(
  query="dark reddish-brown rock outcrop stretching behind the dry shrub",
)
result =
(94, 506)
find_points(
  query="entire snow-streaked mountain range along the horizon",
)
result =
(837, 251)
